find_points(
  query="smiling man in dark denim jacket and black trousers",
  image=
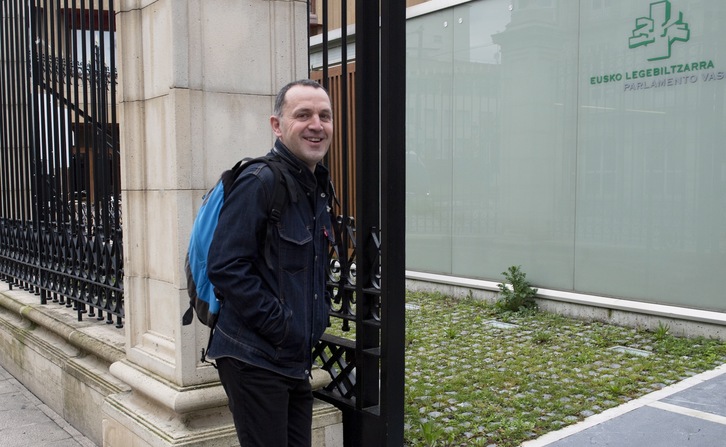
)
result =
(272, 317)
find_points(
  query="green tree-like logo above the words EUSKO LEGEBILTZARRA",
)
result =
(658, 32)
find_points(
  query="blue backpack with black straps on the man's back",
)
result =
(203, 299)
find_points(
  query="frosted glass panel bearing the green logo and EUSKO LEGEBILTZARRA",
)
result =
(651, 161)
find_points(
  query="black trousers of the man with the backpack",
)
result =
(269, 410)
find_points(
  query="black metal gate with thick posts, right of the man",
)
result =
(366, 278)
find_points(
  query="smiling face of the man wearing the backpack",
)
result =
(306, 124)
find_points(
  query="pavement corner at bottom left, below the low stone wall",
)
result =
(26, 422)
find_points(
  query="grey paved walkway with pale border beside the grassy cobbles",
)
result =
(691, 413)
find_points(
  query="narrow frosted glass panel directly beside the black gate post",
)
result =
(428, 142)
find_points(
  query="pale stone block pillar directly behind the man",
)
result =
(197, 81)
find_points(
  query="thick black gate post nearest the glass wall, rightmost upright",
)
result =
(393, 216)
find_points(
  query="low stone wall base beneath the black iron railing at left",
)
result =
(58, 359)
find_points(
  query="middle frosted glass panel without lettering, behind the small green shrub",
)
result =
(514, 140)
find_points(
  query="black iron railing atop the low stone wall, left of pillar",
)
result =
(60, 218)
